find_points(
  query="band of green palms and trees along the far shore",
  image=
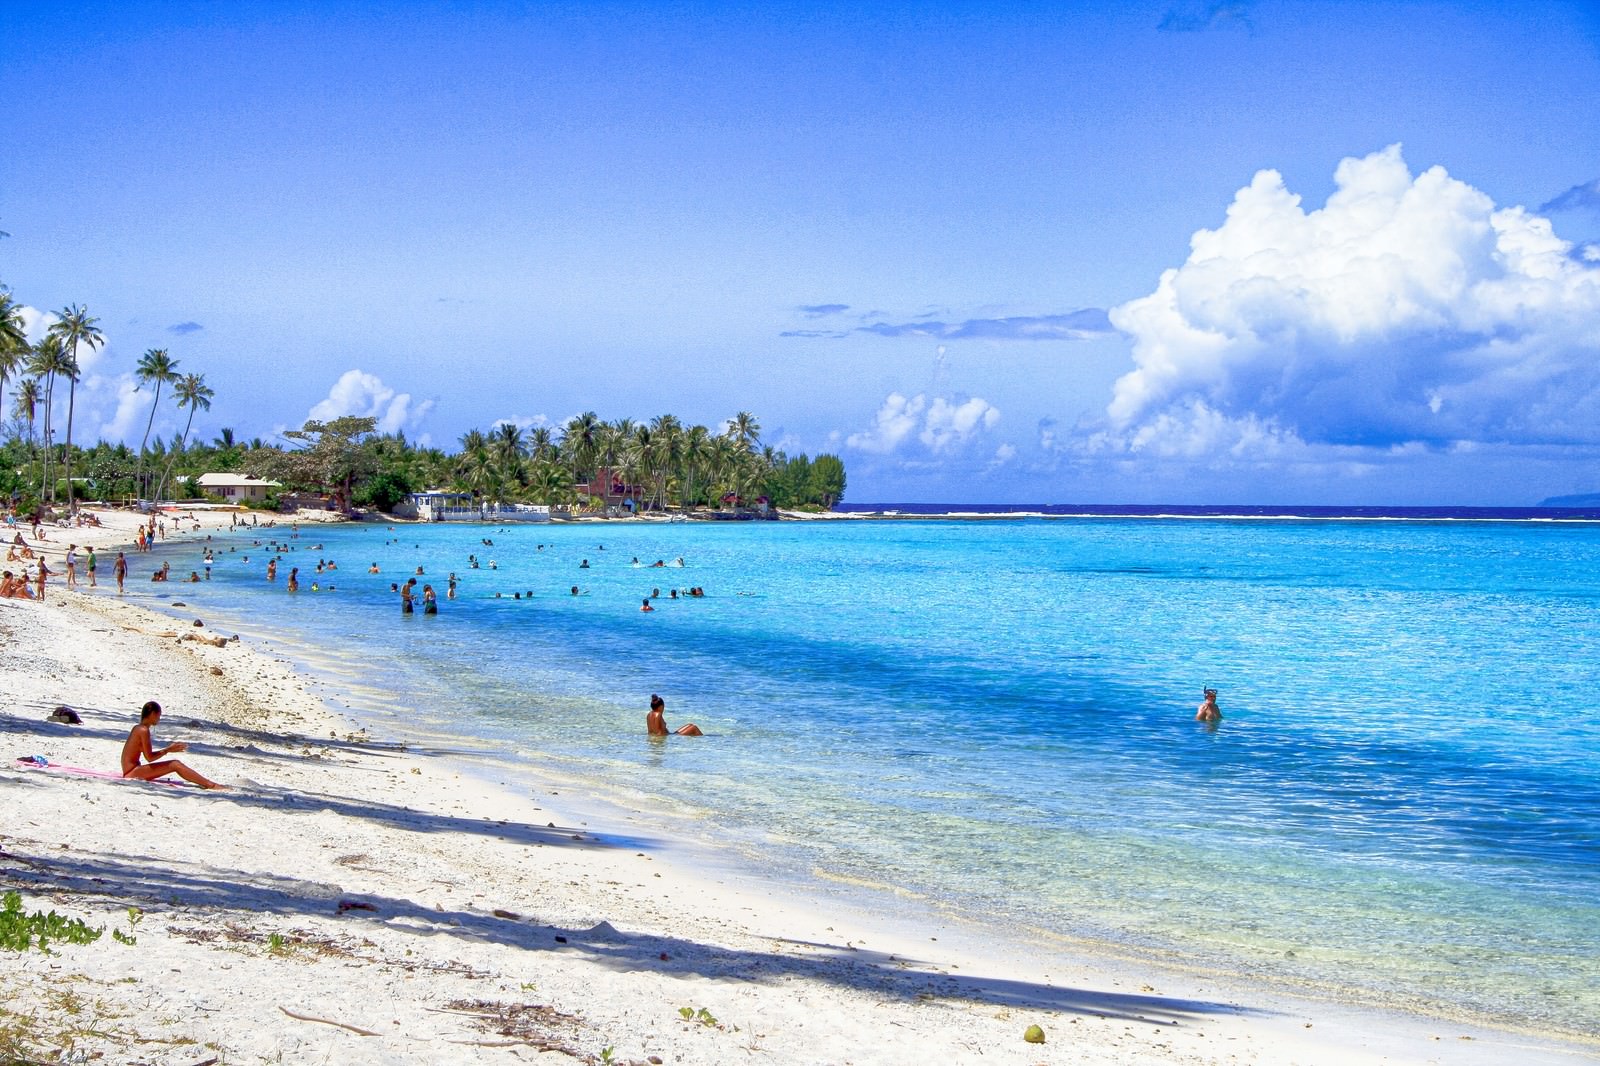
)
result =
(658, 465)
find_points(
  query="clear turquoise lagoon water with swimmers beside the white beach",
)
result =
(1402, 803)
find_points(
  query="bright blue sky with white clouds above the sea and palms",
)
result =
(1033, 254)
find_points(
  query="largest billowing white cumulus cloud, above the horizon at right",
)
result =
(1406, 310)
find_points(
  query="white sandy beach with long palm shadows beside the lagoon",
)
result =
(460, 913)
